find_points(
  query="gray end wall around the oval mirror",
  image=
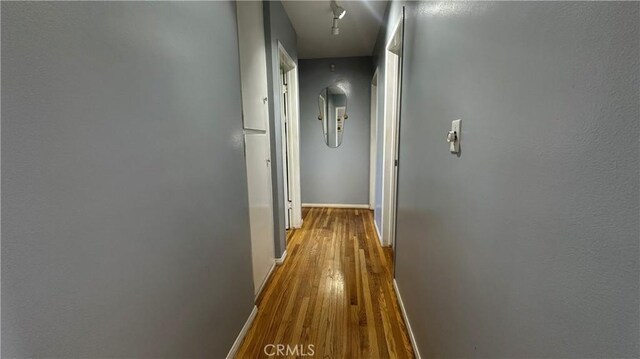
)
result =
(335, 175)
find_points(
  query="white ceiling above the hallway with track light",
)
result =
(358, 29)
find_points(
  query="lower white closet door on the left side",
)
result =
(260, 209)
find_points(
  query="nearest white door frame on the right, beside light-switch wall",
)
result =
(392, 92)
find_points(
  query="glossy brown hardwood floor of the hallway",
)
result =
(333, 292)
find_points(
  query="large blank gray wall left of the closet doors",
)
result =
(125, 229)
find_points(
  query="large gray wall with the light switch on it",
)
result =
(527, 244)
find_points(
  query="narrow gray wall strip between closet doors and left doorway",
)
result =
(278, 28)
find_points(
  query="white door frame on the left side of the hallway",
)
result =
(291, 138)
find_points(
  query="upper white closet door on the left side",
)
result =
(253, 64)
